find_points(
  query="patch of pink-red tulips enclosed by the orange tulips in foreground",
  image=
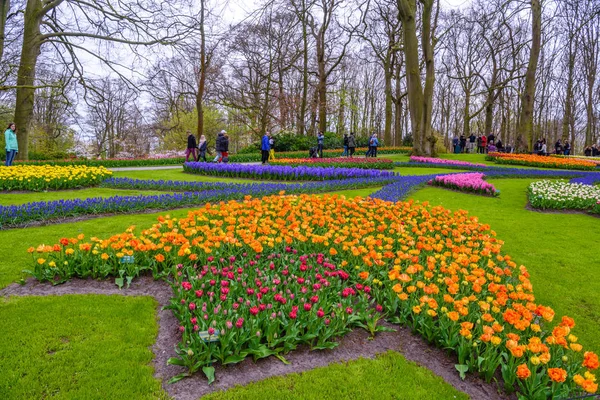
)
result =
(262, 305)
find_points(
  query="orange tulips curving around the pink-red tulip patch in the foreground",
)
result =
(442, 273)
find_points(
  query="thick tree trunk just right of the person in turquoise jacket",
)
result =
(26, 75)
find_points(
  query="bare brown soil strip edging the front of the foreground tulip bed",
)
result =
(352, 346)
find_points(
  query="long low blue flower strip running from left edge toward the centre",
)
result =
(14, 216)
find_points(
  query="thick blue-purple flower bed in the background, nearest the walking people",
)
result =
(269, 172)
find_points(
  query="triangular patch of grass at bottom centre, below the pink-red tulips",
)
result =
(388, 376)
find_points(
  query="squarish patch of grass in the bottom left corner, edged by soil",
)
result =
(78, 347)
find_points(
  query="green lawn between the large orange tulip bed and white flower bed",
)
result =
(560, 251)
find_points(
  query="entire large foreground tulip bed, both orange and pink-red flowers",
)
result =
(441, 273)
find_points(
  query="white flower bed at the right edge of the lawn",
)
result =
(560, 195)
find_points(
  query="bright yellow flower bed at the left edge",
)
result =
(38, 178)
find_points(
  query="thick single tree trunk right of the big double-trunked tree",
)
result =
(525, 127)
